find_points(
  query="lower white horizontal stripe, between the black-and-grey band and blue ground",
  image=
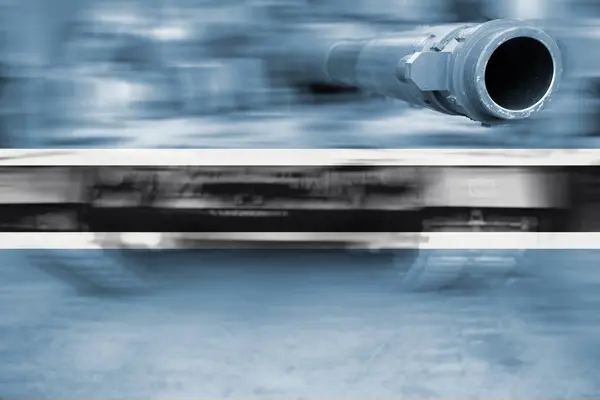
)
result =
(446, 240)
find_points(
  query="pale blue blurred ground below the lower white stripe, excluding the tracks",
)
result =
(299, 324)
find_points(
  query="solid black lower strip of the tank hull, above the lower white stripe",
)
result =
(248, 220)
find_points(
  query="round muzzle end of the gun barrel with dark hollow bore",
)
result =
(518, 74)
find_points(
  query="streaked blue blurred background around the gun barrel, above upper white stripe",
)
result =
(193, 73)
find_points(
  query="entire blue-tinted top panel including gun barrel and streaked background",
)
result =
(260, 74)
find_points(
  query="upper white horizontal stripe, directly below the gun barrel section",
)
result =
(298, 157)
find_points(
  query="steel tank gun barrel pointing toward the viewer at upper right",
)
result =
(494, 72)
